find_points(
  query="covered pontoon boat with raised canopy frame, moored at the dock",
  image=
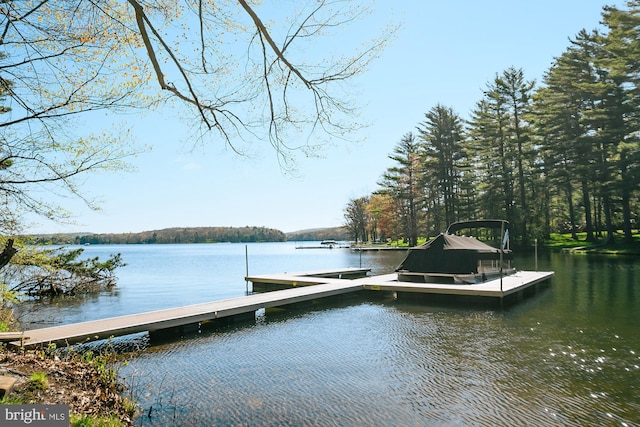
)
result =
(468, 252)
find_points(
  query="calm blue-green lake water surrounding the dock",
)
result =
(569, 355)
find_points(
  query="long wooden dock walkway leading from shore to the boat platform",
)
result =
(304, 286)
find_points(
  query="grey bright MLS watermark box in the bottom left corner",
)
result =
(34, 415)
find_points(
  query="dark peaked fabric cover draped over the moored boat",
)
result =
(448, 253)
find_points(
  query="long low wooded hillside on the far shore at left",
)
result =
(170, 235)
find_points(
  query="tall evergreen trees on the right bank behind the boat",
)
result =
(564, 156)
